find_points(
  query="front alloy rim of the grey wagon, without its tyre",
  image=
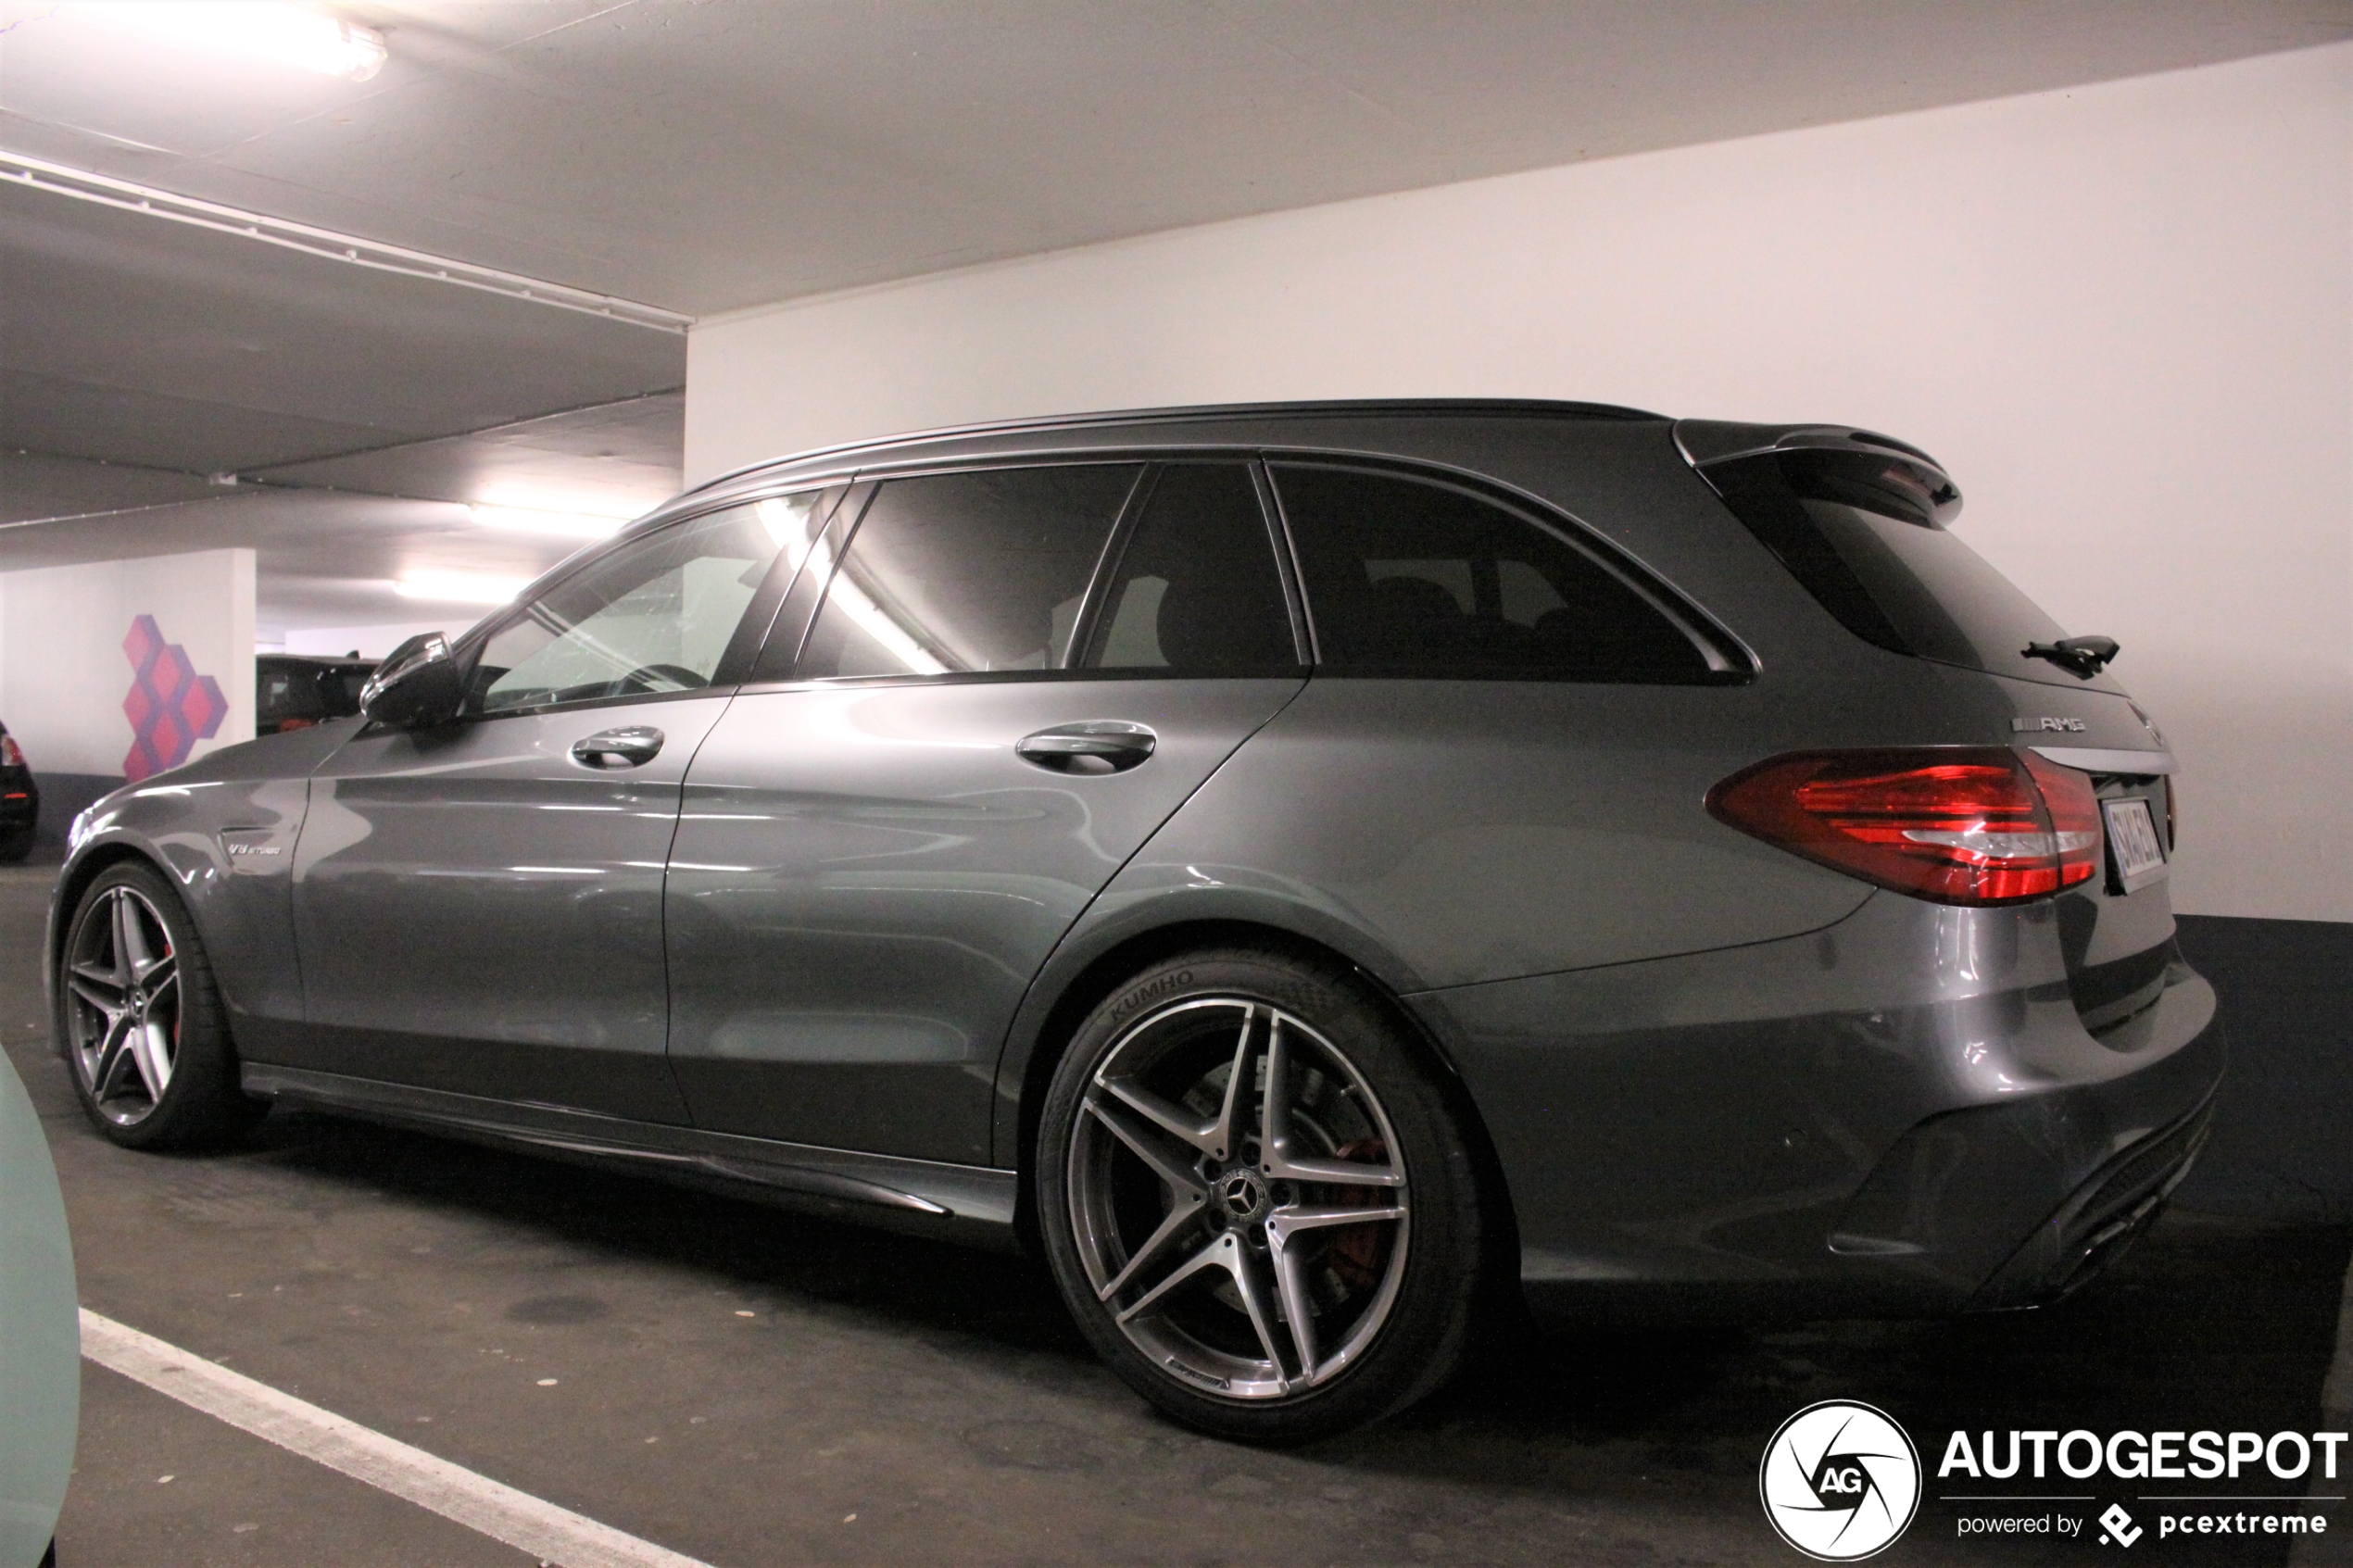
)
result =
(124, 1005)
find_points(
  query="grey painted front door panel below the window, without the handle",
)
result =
(486, 913)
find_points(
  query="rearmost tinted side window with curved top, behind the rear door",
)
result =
(1406, 577)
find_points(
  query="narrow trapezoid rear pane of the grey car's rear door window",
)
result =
(1197, 589)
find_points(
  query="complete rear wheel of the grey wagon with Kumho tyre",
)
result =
(1255, 1198)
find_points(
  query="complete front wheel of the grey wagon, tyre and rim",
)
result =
(142, 1019)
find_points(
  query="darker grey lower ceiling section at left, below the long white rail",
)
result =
(171, 347)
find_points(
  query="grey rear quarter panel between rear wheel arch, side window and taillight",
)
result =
(1566, 840)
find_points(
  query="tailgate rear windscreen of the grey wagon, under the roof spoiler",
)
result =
(1865, 540)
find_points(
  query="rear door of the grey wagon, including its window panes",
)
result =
(1013, 681)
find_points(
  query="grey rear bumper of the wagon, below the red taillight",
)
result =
(1898, 1115)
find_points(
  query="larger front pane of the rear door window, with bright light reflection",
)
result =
(968, 572)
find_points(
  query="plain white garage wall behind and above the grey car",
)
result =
(2124, 316)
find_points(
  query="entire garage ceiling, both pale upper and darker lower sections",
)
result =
(702, 156)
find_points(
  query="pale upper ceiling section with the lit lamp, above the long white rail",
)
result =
(709, 156)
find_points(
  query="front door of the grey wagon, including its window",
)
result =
(479, 904)
